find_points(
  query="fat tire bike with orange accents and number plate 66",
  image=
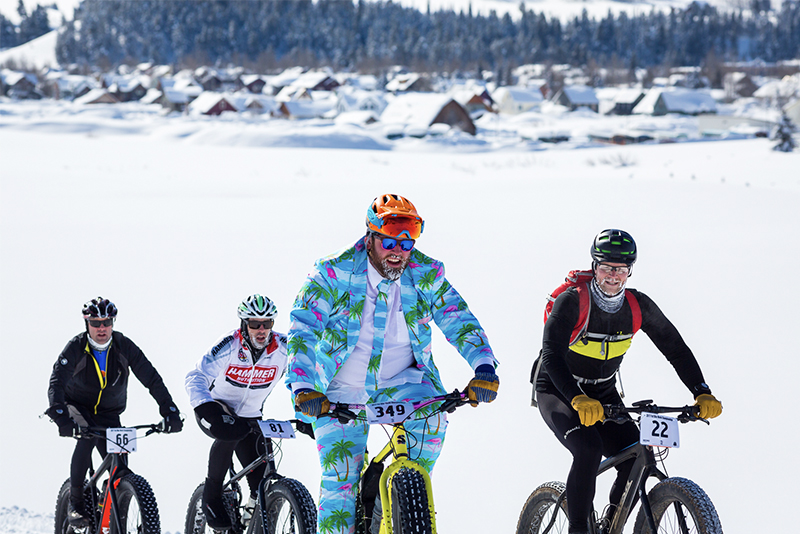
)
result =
(122, 503)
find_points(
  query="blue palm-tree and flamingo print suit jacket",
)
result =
(326, 317)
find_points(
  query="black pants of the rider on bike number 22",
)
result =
(587, 445)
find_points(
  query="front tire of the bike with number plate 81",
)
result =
(288, 509)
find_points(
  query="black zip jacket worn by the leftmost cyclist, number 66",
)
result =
(75, 381)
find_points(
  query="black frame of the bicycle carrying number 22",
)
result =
(644, 467)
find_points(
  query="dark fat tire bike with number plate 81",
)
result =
(284, 505)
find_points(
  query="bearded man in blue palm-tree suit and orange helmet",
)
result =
(361, 333)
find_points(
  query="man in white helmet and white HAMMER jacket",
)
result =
(227, 389)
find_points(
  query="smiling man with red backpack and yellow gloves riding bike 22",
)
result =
(576, 380)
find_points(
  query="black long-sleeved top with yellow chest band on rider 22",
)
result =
(561, 363)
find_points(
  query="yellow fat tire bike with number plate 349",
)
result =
(397, 498)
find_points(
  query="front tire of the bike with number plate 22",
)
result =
(679, 506)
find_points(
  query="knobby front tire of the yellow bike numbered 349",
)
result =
(411, 513)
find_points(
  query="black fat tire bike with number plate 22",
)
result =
(673, 505)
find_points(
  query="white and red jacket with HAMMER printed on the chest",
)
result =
(227, 374)
